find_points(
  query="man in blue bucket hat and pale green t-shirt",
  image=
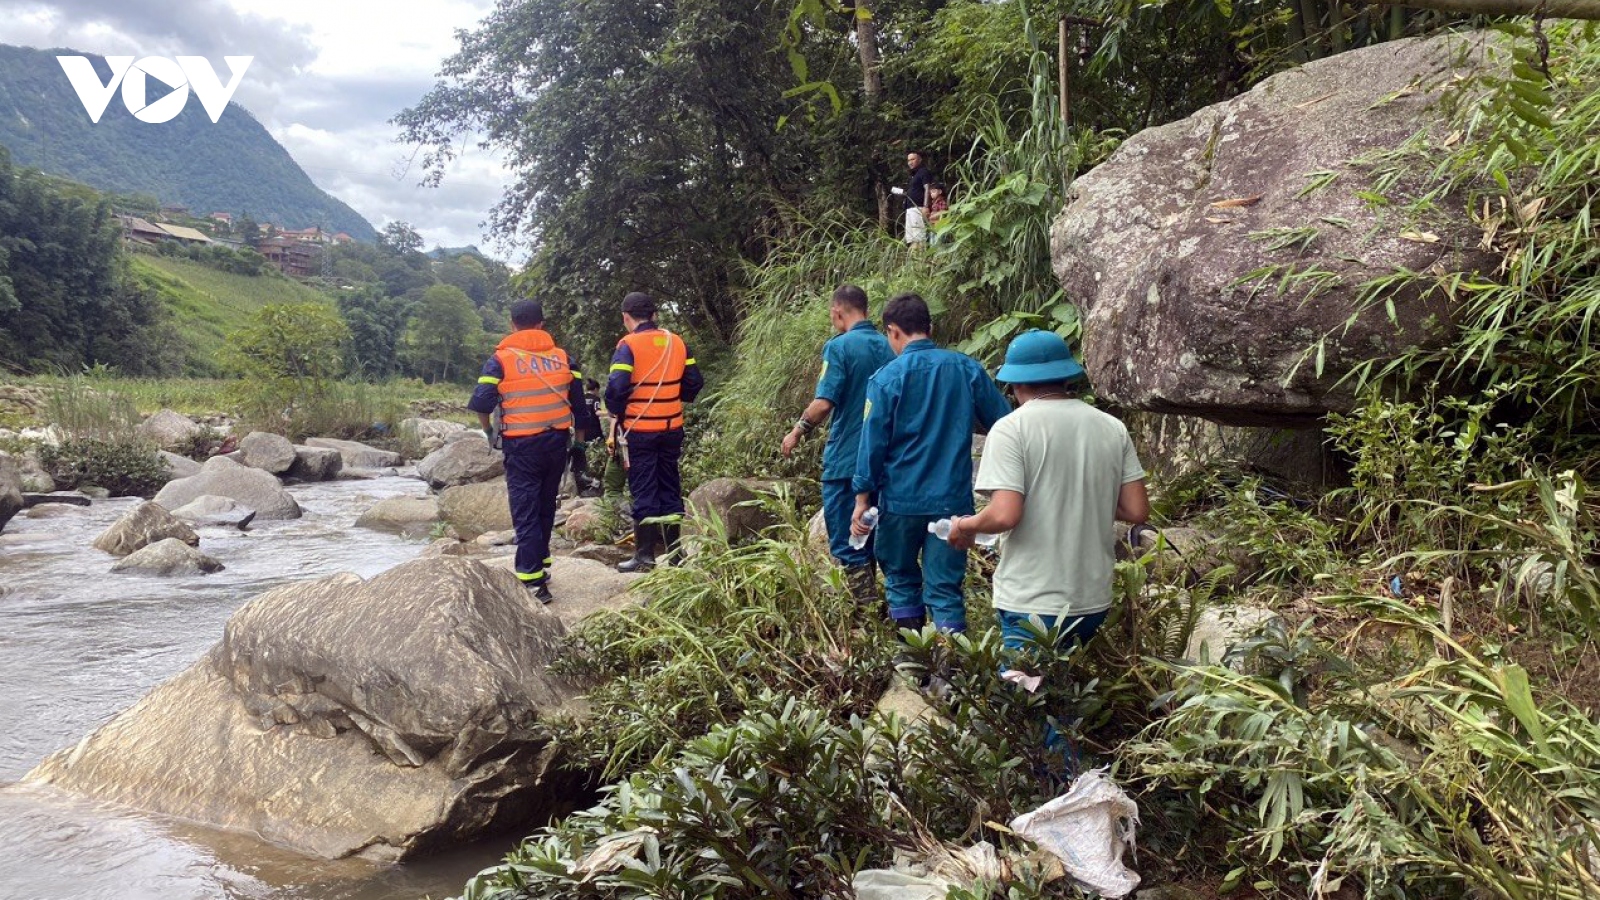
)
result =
(1058, 475)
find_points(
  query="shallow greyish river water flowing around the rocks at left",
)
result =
(78, 645)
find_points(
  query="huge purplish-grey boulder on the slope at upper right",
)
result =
(1178, 246)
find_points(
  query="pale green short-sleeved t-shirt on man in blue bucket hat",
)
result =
(1070, 462)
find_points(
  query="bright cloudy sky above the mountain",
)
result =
(326, 81)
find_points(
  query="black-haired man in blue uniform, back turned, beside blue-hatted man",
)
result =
(916, 457)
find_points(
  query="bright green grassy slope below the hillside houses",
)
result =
(209, 303)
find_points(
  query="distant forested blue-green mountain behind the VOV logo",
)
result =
(231, 166)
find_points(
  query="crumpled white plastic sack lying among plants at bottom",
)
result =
(1089, 829)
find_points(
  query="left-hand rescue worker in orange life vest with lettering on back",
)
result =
(537, 387)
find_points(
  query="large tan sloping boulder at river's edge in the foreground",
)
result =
(385, 718)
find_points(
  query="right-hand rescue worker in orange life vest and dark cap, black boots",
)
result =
(652, 377)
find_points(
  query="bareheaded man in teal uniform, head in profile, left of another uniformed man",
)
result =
(849, 361)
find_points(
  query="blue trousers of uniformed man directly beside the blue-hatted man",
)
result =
(921, 573)
